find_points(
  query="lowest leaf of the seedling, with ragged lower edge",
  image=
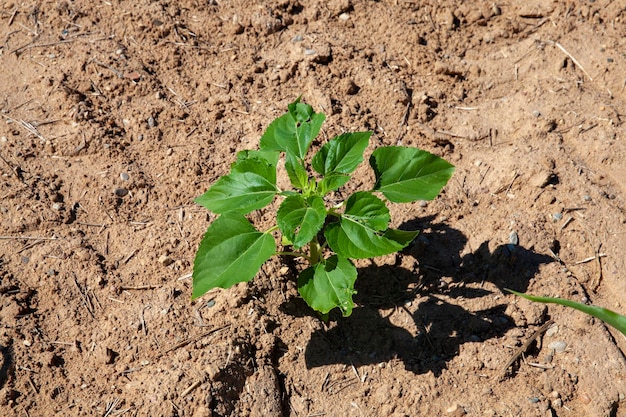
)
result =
(329, 284)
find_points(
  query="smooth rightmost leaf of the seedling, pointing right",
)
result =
(409, 174)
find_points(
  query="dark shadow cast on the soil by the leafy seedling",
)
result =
(439, 327)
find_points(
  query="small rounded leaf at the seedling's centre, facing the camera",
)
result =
(300, 219)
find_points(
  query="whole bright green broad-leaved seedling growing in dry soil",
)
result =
(308, 225)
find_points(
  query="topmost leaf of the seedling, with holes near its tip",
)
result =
(294, 131)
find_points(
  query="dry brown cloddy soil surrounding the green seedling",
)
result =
(116, 115)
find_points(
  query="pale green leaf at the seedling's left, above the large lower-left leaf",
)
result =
(250, 185)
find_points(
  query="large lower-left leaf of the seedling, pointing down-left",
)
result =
(231, 251)
